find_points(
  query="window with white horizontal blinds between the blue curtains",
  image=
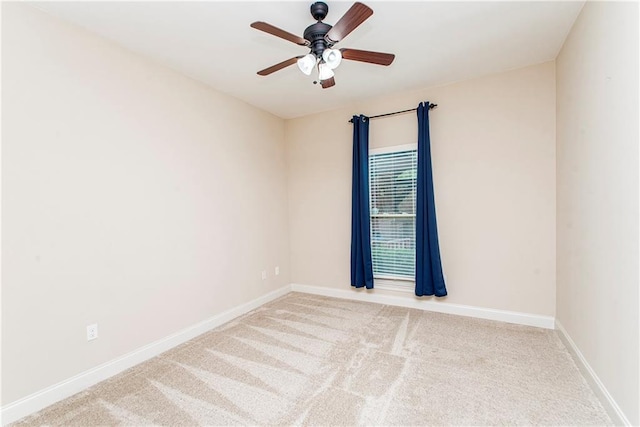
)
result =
(392, 181)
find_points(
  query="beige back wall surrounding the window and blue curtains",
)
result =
(493, 147)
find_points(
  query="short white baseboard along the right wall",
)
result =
(610, 405)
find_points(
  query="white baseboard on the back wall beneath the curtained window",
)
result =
(546, 322)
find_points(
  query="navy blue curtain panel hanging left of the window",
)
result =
(361, 265)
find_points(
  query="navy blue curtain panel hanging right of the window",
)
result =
(429, 277)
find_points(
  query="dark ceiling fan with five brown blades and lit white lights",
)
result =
(321, 39)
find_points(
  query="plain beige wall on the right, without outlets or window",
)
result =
(597, 170)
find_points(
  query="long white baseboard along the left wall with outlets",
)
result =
(43, 398)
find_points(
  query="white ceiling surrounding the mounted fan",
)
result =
(434, 43)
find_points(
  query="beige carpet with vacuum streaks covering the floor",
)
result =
(311, 360)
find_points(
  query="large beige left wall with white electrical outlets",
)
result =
(133, 197)
